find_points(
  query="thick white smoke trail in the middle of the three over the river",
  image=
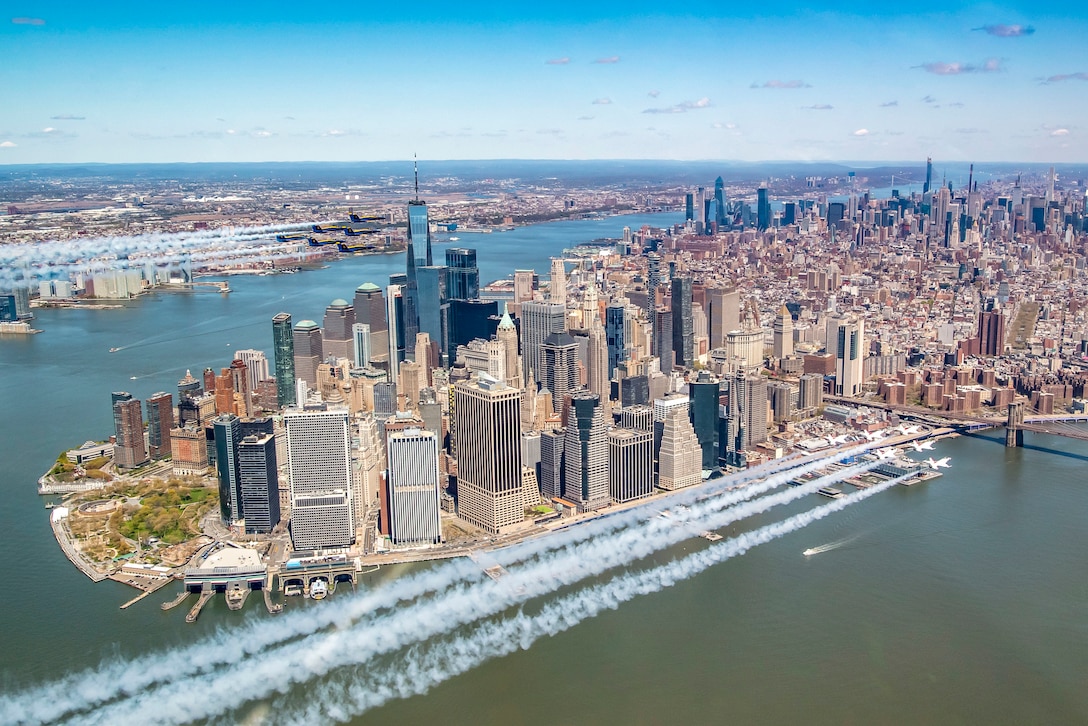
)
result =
(207, 696)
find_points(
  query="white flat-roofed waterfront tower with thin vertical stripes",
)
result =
(414, 487)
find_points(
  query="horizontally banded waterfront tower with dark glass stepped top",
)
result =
(586, 454)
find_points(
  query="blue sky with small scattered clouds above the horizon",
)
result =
(278, 82)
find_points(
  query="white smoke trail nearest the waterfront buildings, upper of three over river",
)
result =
(123, 680)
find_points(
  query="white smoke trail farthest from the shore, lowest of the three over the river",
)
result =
(426, 668)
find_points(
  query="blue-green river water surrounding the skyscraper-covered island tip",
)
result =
(962, 600)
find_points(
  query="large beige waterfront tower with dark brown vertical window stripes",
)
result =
(489, 472)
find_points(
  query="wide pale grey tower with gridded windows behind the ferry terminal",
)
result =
(319, 460)
